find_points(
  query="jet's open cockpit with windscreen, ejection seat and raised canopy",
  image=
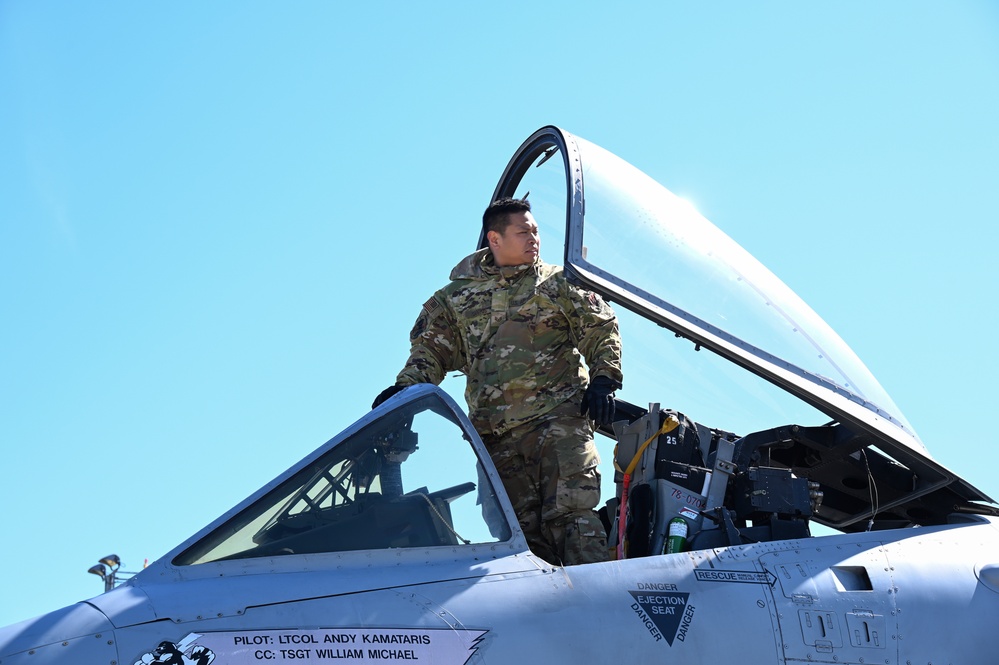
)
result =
(744, 417)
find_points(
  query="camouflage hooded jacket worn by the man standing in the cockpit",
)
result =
(517, 333)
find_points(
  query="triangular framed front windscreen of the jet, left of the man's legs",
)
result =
(407, 480)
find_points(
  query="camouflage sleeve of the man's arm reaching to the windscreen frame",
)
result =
(435, 346)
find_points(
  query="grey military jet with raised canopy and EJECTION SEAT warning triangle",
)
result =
(395, 542)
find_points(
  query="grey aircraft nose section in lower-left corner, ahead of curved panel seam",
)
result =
(73, 635)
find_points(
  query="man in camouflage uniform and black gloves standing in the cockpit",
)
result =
(519, 331)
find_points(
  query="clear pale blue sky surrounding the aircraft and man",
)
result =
(219, 220)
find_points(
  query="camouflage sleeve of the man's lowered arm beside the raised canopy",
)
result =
(594, 327)
